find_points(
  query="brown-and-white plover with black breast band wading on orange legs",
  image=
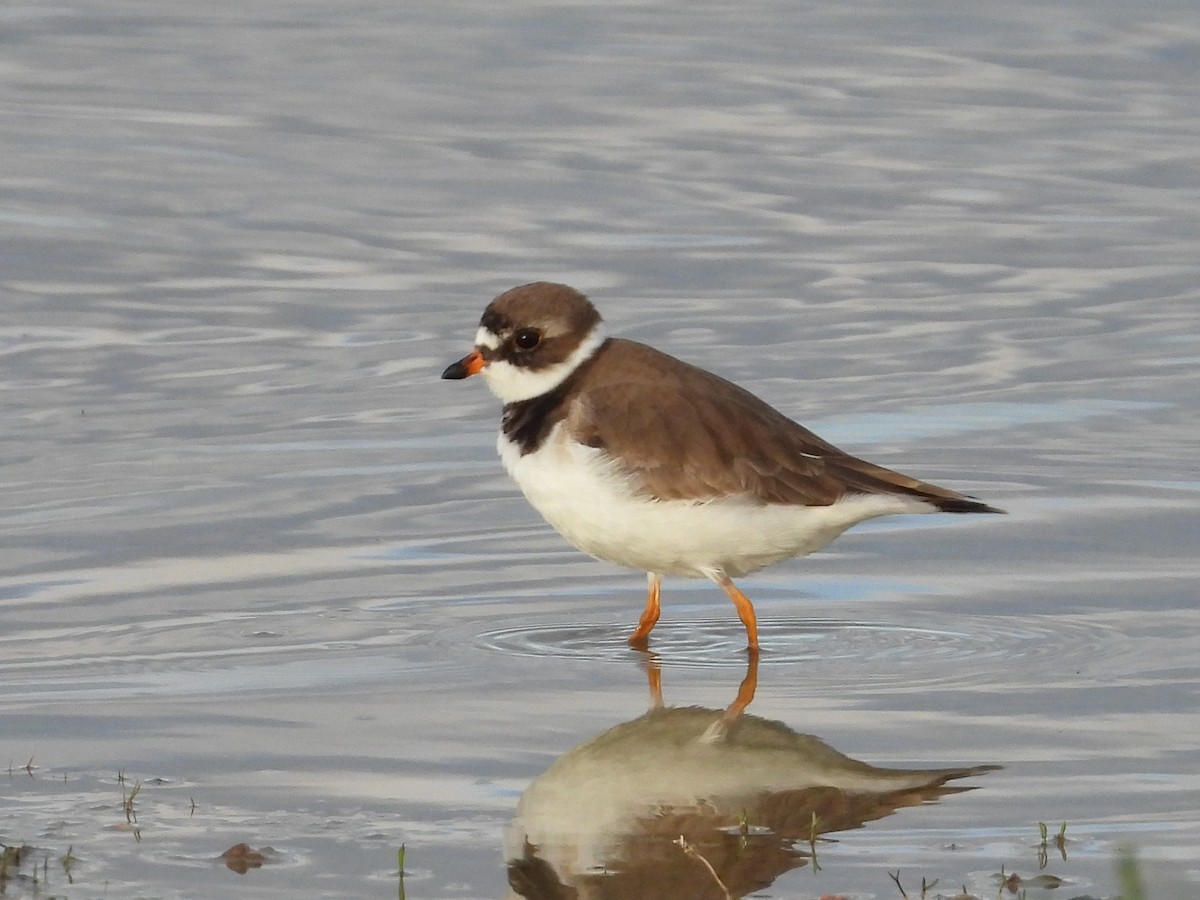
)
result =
(646, 461)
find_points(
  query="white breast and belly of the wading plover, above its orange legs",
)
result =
(579, 491)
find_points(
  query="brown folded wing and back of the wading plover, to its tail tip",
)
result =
(686, 434)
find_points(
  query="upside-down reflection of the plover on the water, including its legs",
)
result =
(604, 820)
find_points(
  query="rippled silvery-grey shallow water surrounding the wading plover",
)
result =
(259, 561)
